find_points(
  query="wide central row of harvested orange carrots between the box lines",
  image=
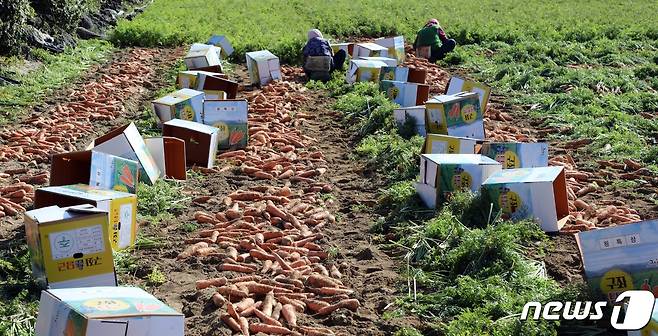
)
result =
(269, 239)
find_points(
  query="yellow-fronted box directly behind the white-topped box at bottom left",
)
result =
(70, 247)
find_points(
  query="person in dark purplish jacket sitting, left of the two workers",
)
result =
(319, 59)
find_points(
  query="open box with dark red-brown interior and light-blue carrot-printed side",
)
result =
(96, 169)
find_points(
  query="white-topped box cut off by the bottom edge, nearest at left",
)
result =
(106, 311)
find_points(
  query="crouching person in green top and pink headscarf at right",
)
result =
(432, 43)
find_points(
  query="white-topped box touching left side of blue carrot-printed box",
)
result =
(186, 104)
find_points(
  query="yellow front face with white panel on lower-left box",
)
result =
(76, 249)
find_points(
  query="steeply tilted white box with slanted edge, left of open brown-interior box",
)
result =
(126, 142)
